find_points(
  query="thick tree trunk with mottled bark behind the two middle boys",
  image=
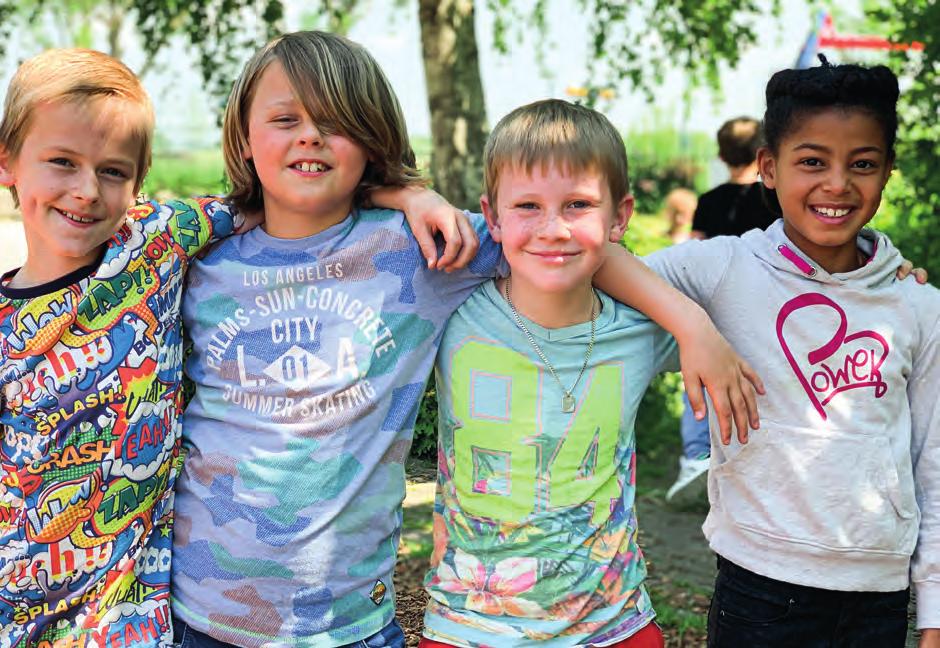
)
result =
(455, 97)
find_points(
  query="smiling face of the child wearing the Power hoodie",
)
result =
(829, 174)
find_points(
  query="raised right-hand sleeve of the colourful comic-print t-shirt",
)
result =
(190, 225)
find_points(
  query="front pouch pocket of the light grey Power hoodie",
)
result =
(833, 489)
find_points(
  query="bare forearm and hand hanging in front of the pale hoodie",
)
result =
(706, 357)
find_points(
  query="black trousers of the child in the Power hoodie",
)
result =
(758, 612)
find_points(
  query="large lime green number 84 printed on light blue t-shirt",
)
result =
(515, 454)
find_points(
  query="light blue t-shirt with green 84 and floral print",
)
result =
(535, 533)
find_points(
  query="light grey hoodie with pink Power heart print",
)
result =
(841, 485)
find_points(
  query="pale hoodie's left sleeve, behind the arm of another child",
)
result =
(695, 268)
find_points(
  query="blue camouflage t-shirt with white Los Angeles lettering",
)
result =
(310, 358)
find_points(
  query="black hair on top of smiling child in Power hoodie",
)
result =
(794, 94)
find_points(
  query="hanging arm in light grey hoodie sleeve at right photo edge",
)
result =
(922, 389)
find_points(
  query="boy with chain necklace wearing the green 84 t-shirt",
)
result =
(539, 379)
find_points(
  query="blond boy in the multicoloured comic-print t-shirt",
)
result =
(90, 359)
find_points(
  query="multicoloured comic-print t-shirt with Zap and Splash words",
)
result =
(90, 403)
